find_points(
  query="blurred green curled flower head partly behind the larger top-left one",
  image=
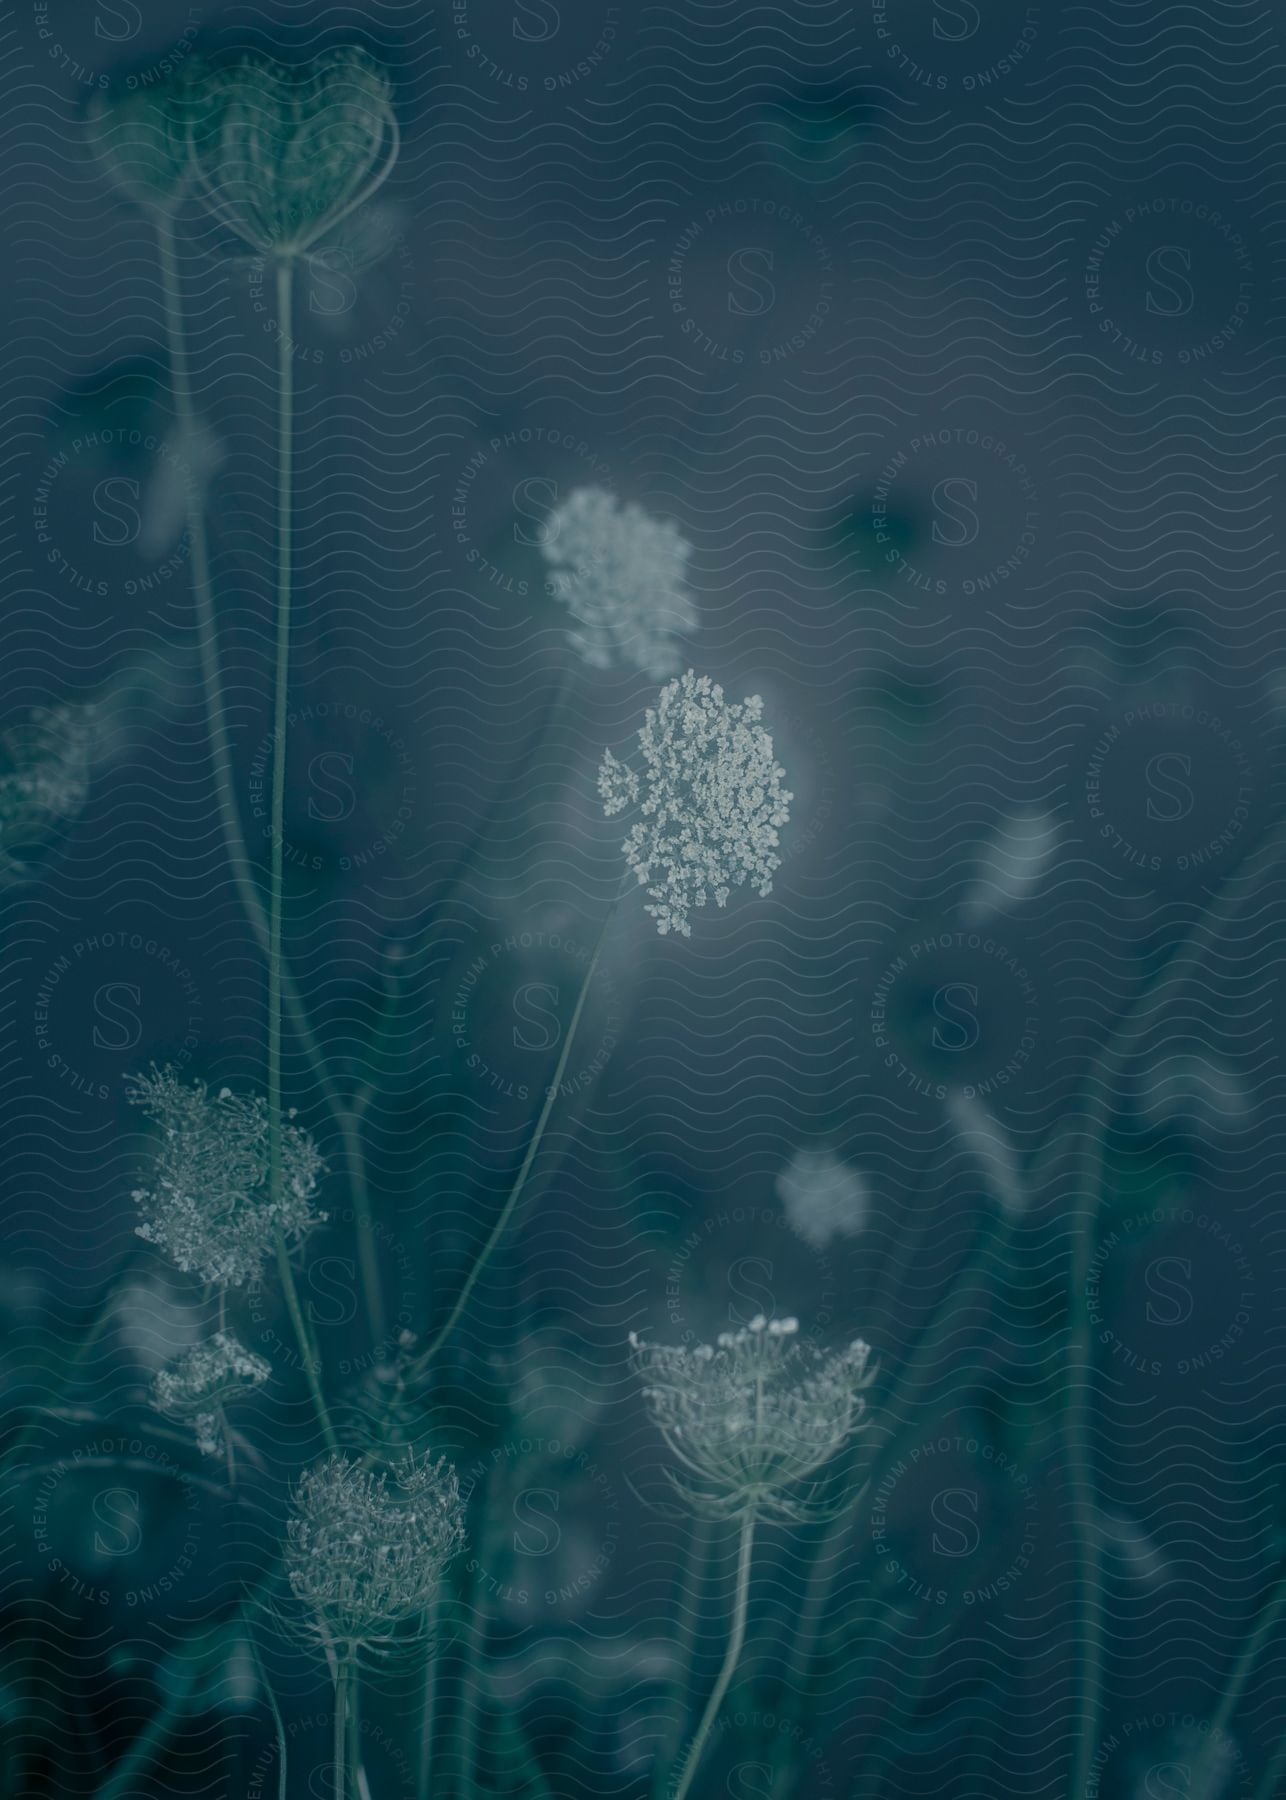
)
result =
(143, 134)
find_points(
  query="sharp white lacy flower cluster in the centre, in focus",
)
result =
(711, 800)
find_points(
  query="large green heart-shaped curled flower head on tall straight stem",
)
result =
(285, 154)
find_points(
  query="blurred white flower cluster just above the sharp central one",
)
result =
(622, 575)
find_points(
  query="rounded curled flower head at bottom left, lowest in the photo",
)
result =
(365, 1558)
